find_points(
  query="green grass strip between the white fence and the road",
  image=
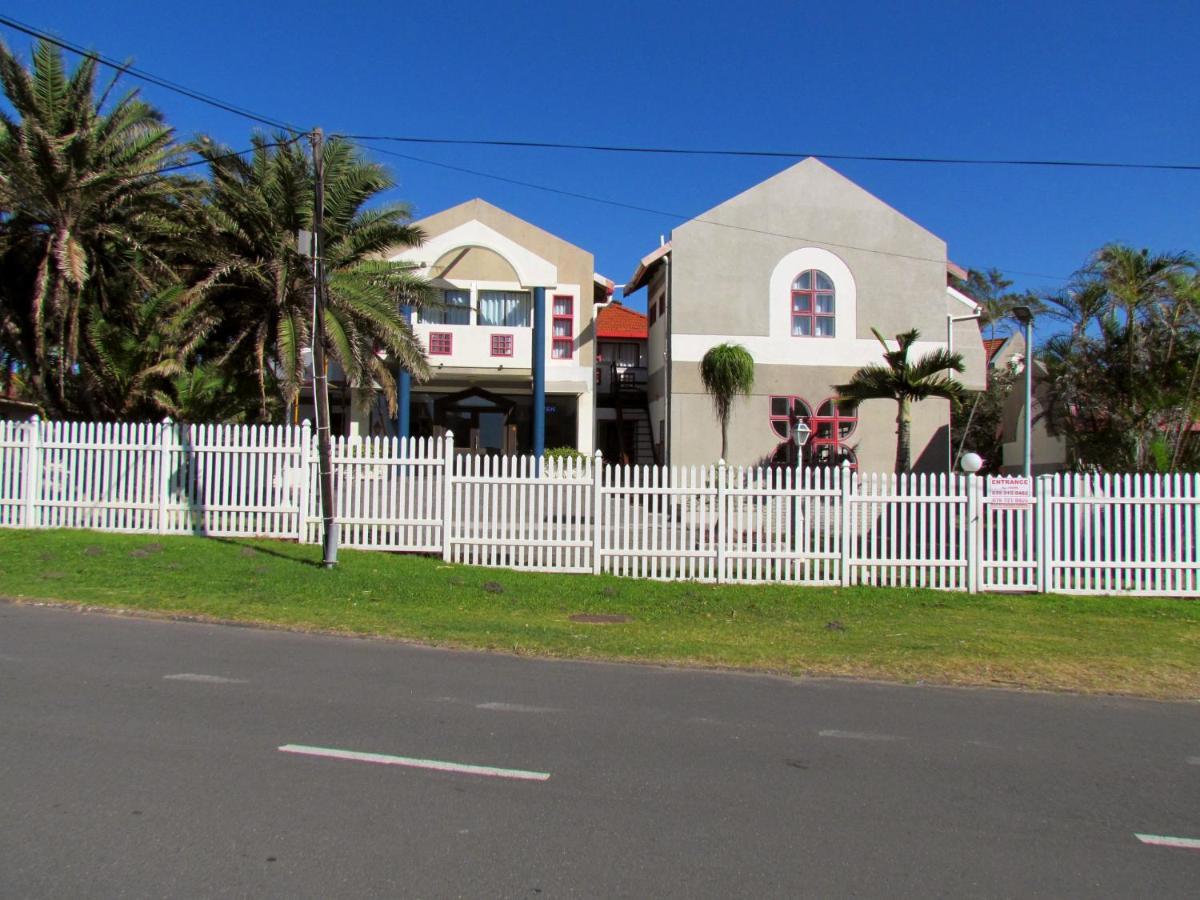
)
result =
(1112, 645)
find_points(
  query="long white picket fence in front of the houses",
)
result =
(1118, 535)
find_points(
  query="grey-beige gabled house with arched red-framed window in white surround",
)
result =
(799, 269)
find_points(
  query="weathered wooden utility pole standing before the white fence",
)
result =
(320, 367)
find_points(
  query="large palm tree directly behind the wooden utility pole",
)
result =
(260, 284)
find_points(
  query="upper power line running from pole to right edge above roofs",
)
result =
(783, 154)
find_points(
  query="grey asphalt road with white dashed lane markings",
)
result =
(141, 759)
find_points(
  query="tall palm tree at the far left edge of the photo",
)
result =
(83, 202)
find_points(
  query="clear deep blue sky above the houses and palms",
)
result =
(1089, 81)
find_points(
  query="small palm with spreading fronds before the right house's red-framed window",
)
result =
(905, 383)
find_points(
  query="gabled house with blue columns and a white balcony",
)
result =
(509, 340)
